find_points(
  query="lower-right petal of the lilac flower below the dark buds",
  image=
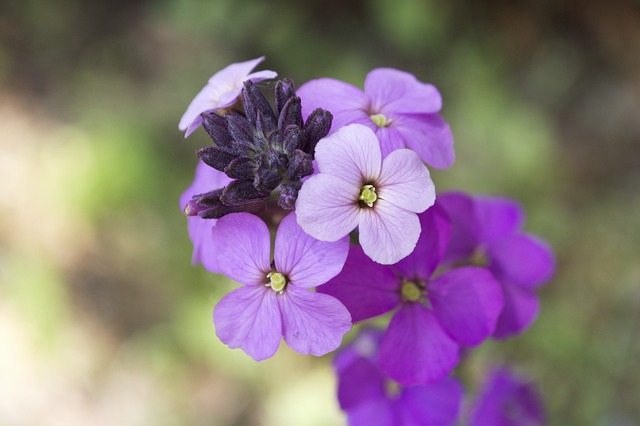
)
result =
(313, 323)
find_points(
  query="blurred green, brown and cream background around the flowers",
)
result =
(103, 321)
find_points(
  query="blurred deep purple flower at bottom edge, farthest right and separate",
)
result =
(507, 400)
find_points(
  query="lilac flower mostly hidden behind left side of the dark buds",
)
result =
(200, 229)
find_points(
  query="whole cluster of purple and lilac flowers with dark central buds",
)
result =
(331, 164)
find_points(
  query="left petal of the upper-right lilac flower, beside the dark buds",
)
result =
(347, 103)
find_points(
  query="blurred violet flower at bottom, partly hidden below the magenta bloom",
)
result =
(371, 399)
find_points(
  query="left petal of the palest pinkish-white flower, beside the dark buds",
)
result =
(327, 207)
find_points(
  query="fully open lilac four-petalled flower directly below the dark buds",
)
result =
(275, 300)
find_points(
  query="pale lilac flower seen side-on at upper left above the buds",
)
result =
(221, 91)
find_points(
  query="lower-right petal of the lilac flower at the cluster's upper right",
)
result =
(428, 135)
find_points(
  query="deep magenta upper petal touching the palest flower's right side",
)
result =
(431, 246)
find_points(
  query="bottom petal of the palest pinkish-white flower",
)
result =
(388, 233)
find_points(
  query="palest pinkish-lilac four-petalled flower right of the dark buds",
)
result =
(356, 188)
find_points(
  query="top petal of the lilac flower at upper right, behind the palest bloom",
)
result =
(394, 91)
